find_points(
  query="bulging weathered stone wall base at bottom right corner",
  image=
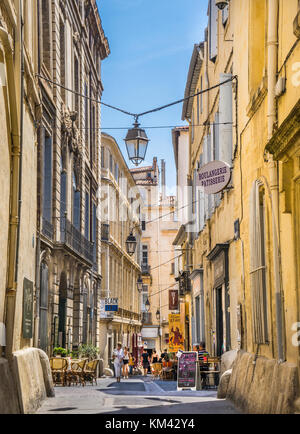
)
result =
(263, 386)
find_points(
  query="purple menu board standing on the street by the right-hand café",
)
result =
(187, 370)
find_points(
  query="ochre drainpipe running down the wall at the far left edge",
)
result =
(16, 169)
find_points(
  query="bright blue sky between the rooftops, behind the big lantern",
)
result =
(151, 44)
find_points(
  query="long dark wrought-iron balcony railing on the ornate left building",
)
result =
(74, 239)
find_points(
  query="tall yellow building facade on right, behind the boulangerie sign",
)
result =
(243, 248)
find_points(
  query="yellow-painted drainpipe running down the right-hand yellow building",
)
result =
(273, 167)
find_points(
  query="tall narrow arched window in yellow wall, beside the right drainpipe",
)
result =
(258, 263)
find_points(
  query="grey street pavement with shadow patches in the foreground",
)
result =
(137, 395)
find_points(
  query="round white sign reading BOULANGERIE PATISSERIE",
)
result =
(214, 177)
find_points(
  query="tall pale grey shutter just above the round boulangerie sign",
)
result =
(225, 119)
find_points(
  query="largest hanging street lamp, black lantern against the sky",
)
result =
(136, 143)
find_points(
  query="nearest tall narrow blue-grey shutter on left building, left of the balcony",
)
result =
(47, 190)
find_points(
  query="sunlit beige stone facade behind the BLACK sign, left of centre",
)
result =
(120, 213)
